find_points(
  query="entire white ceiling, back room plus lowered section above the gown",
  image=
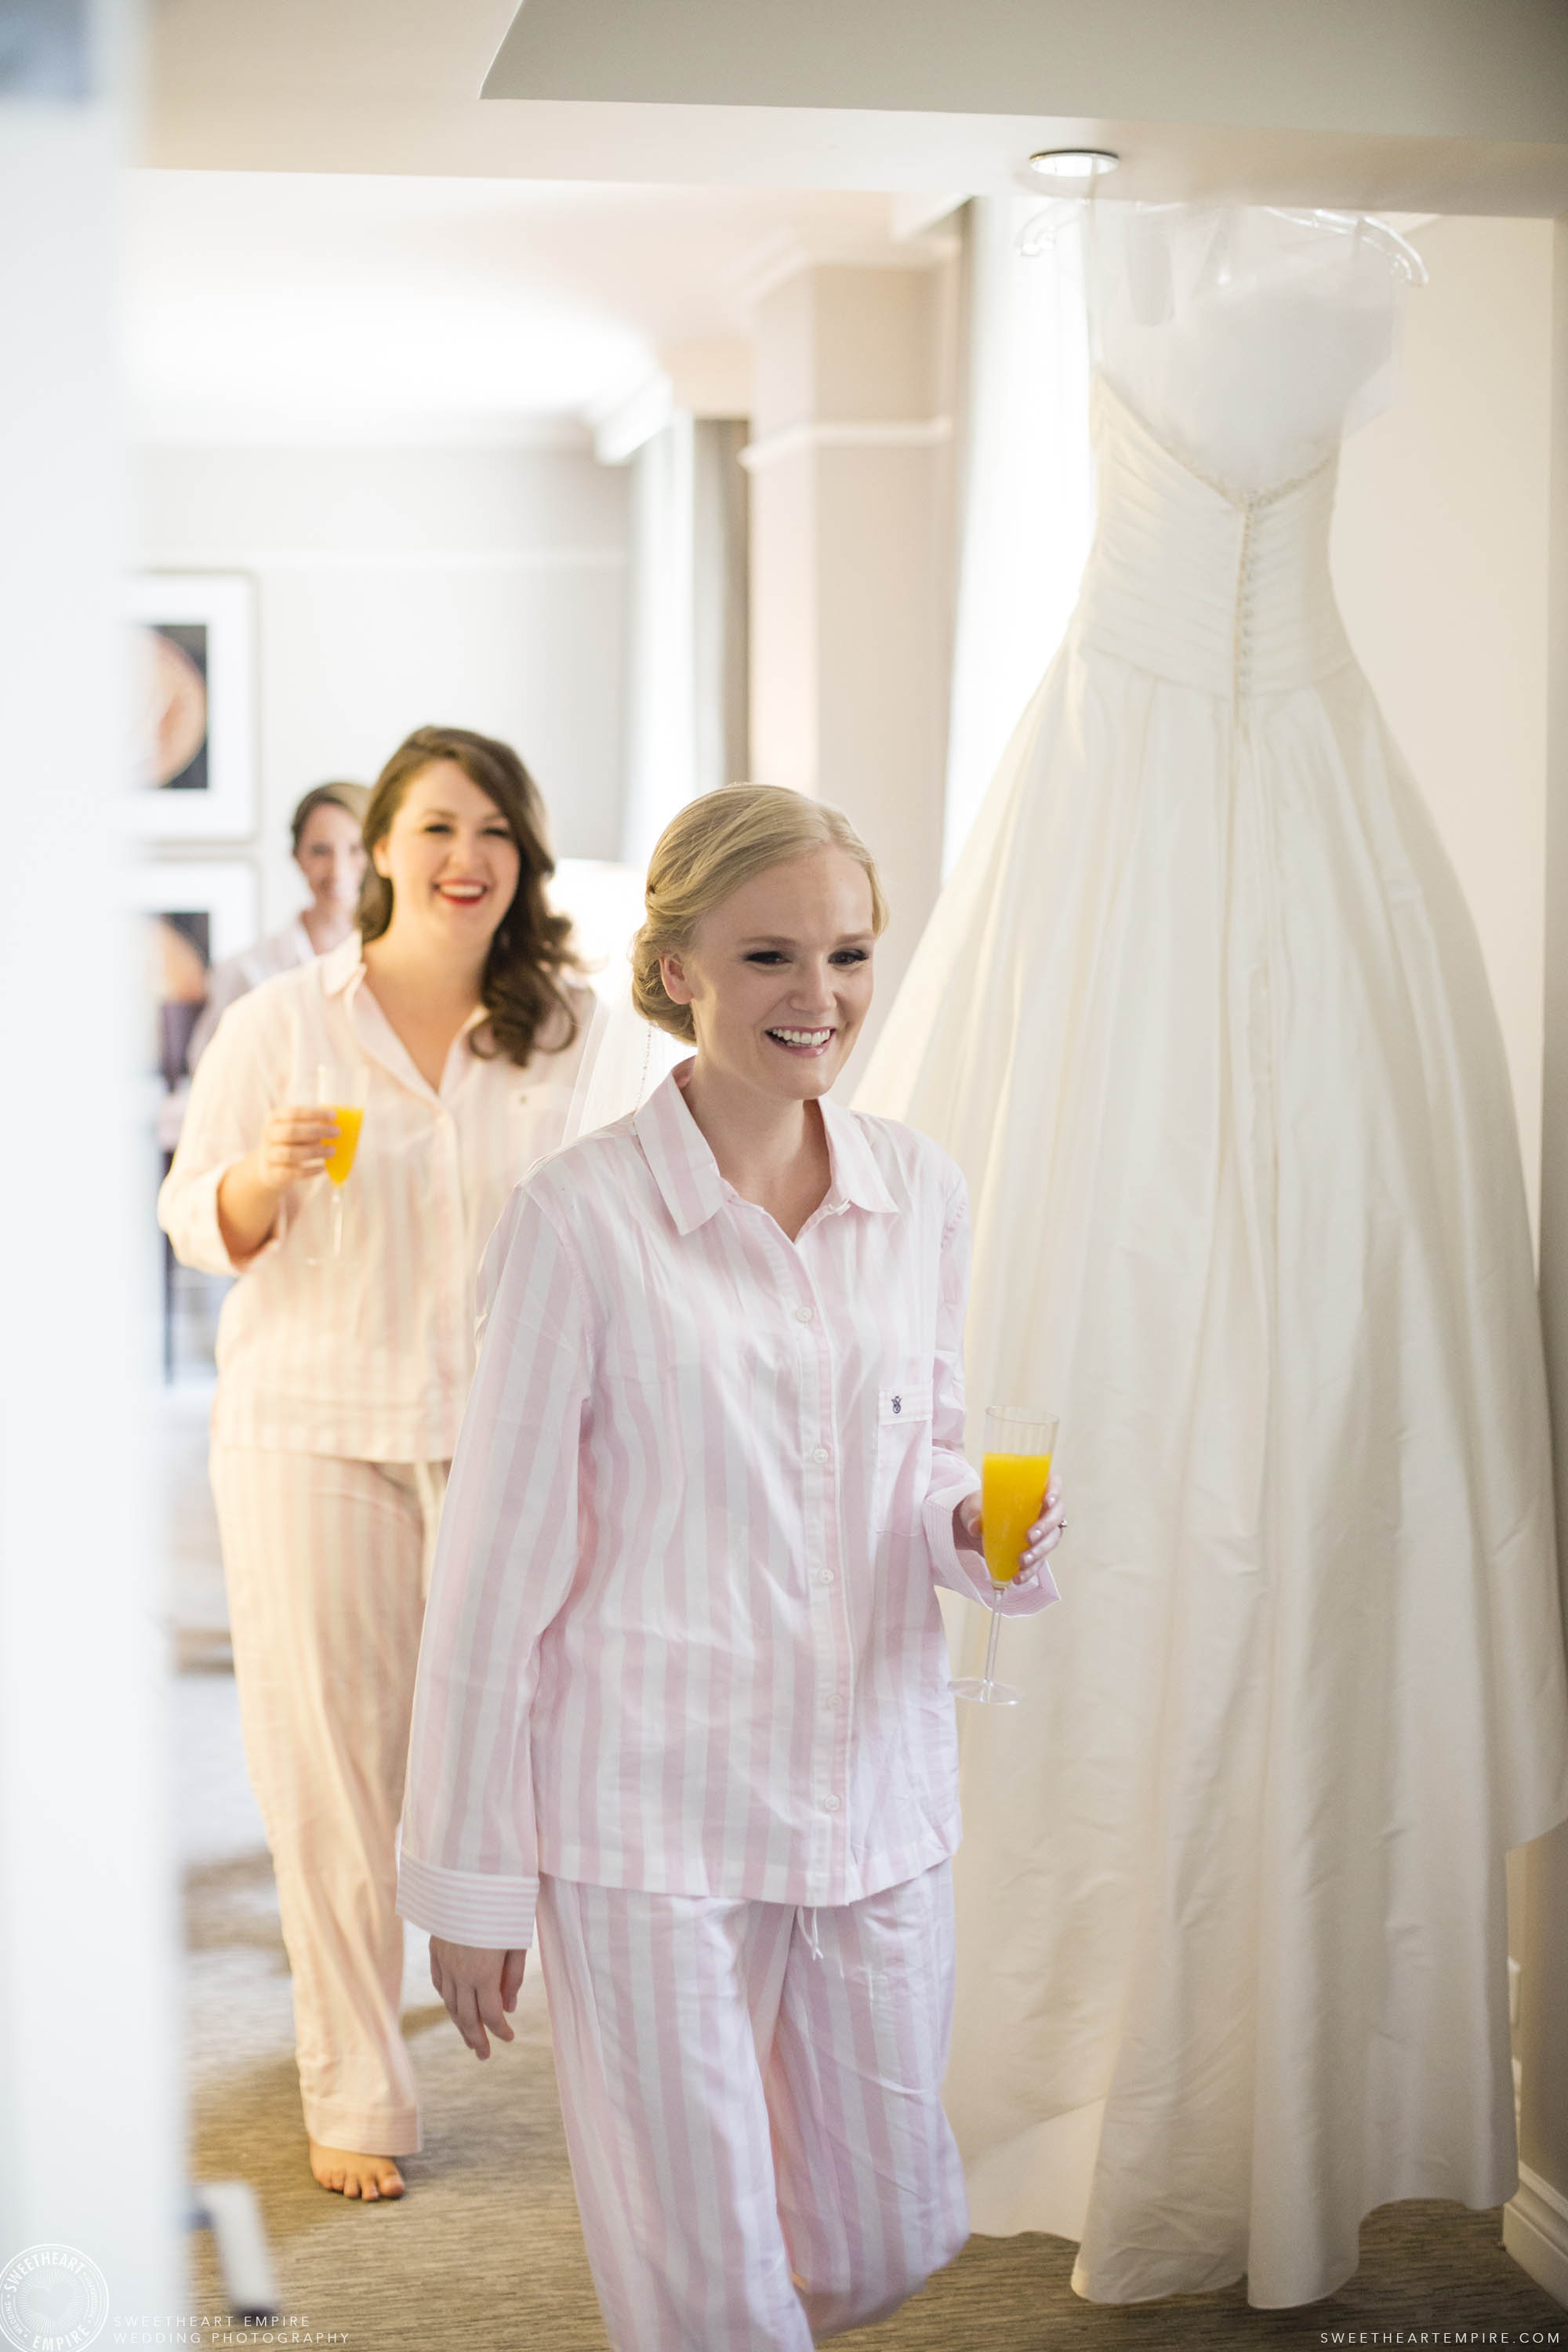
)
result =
(347, 241)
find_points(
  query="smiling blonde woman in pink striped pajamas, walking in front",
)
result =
(683, 1692)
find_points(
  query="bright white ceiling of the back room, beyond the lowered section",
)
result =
(340, 307)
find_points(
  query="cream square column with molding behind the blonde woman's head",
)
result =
(852, 563)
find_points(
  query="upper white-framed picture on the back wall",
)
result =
(194, 697)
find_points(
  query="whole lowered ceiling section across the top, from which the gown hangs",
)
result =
(1407, 105)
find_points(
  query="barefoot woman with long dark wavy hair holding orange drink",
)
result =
(342, 1377)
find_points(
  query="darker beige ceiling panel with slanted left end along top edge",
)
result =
(1419, 69)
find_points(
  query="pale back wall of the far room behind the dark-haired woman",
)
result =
(408, 587)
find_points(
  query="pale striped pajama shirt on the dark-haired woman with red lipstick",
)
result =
(366, 1356)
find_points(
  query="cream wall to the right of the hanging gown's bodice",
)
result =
(1440, 556)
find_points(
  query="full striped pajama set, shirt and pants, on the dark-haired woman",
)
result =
(340, 1396)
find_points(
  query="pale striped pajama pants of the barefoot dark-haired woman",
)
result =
(328, 1565)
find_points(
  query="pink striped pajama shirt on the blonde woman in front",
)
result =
(683, 1629)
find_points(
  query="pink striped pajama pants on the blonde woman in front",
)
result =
(753, 2109)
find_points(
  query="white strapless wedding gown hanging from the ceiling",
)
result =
(1205, 1020)
